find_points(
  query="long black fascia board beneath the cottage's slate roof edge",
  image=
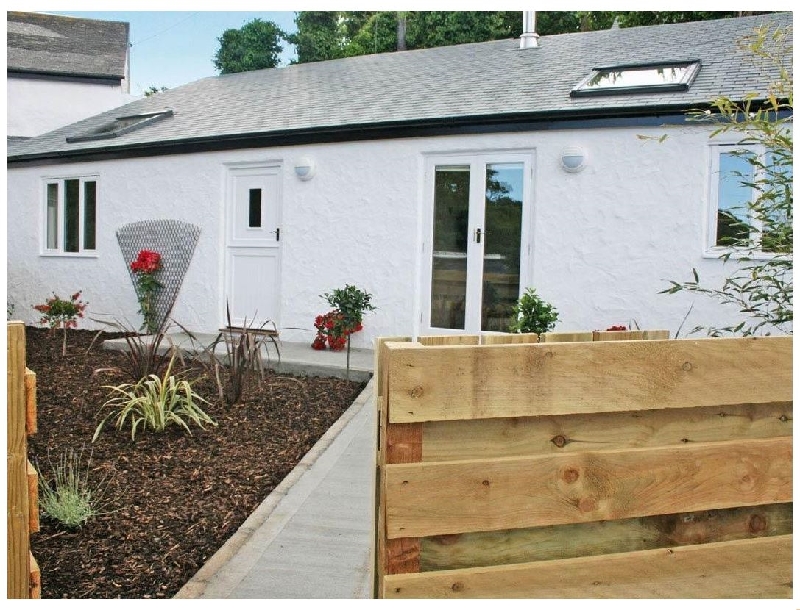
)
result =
(516, 123)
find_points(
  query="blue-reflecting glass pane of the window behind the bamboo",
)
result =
(735, 193)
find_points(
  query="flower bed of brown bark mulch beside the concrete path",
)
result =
(170, 500)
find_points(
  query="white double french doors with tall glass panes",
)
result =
(476, 250)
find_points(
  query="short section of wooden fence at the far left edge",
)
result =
(23, 579)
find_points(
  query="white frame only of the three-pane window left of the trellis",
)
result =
(60, 232)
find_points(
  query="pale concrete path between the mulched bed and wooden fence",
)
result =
(312, 537)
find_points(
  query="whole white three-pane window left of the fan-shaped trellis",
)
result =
(70, 216)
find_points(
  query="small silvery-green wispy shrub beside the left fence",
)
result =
(66, 496)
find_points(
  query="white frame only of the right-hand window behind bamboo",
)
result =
(712, 249)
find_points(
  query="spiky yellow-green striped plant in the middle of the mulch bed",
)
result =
(155, 402)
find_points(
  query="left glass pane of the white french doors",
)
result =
(450, 232)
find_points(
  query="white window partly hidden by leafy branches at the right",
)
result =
(736, 173)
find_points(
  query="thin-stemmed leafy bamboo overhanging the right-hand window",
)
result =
(760, 235)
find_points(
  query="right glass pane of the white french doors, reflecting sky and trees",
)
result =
(502, 241)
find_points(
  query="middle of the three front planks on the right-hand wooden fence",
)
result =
(430, 499)
